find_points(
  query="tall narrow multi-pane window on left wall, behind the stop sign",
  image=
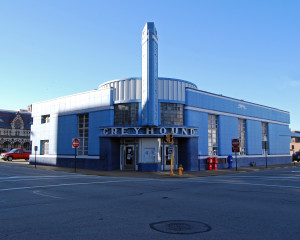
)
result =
(83, 133)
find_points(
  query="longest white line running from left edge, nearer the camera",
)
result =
(71, 184)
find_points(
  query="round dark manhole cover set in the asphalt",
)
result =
(180, 227)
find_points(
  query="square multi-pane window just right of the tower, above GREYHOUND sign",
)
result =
(171, 113)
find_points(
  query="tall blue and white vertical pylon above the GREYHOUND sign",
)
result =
(149, 75)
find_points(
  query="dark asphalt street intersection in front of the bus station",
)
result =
(48, 204)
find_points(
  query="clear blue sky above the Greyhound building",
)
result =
(242, 49)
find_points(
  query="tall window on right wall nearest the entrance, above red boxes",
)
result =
(212, 134)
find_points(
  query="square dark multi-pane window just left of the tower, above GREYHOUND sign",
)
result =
(126, 114)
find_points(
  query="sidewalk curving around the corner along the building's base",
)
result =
(163, 174)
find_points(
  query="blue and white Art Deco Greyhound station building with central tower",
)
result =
(122, 124)
